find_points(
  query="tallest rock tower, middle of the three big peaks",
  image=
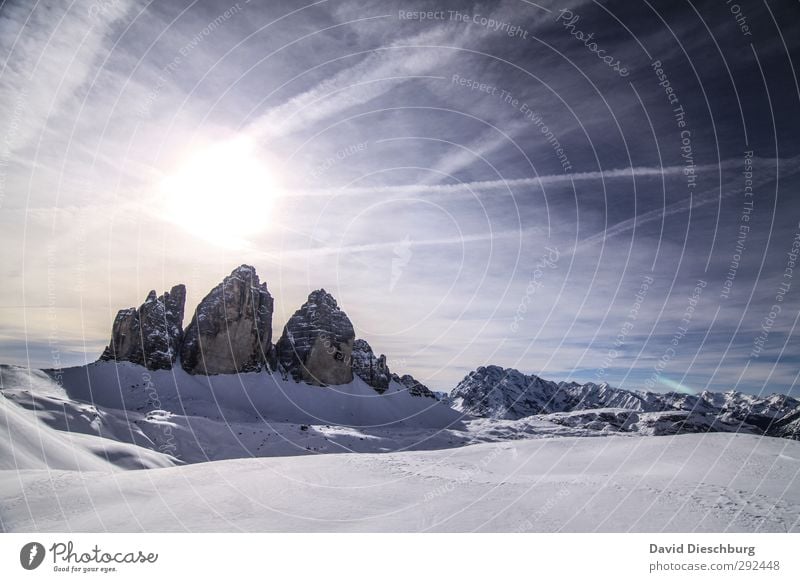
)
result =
(231, 330)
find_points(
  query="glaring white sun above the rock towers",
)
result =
(223, 193)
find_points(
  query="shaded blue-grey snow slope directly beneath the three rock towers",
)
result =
(260, 395)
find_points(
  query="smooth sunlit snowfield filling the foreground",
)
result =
(716, 482)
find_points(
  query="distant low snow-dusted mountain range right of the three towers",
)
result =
(505, 393)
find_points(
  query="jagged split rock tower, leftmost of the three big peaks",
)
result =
(150, 335)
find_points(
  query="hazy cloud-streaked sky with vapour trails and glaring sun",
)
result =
(586, 191)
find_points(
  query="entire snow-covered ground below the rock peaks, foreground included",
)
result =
(254, 452)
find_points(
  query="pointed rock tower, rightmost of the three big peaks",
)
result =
(317, 342)
